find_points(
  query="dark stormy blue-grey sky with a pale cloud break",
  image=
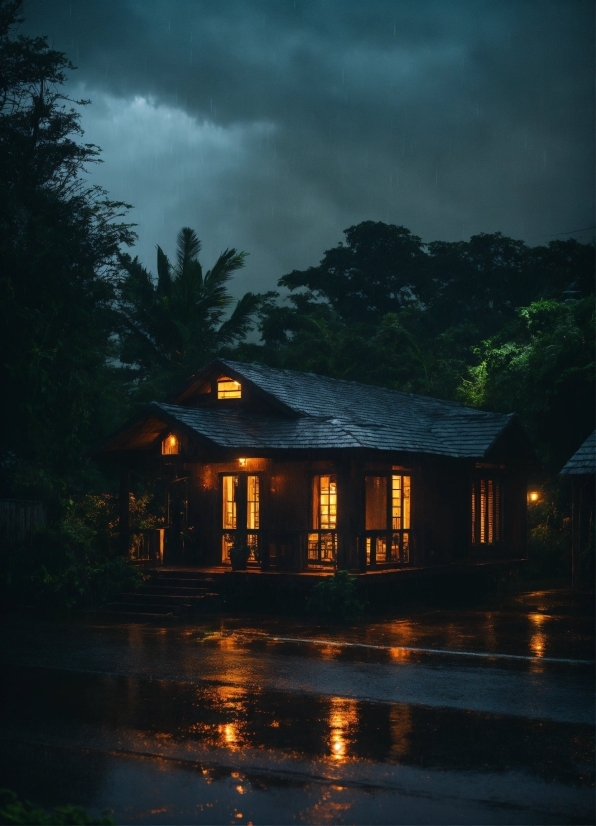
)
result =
(273, 125)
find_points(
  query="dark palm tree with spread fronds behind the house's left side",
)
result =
(171, 325)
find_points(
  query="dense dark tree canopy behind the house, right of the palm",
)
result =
(489, 321)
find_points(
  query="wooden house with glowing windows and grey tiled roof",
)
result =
(314, 474)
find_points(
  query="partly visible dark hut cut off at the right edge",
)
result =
(581, 470)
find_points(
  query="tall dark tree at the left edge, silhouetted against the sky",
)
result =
(59, 240)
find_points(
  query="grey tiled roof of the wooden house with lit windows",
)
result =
(340, 414)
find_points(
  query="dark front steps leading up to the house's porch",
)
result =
(168, 593)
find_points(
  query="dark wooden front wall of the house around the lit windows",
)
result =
(440, 509)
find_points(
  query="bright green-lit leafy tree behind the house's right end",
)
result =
(542, 367)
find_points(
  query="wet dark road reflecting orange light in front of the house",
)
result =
(442, 717)
